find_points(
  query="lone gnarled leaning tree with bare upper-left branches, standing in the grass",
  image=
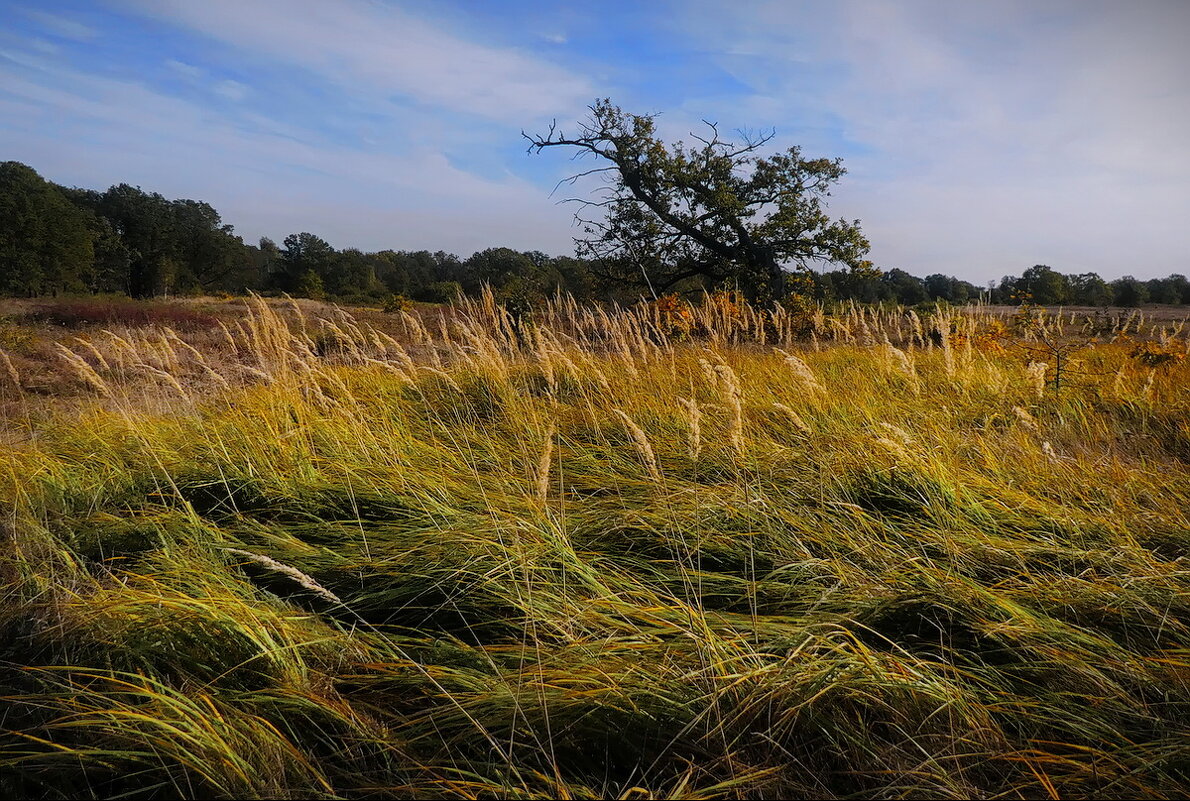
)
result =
(715, 210)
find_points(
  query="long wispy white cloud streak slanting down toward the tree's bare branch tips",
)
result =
(384, 51)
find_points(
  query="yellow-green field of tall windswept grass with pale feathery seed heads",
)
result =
(662, 553)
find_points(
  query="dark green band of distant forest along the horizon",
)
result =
(58, 241)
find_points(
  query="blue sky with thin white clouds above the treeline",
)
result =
(980, 139)
